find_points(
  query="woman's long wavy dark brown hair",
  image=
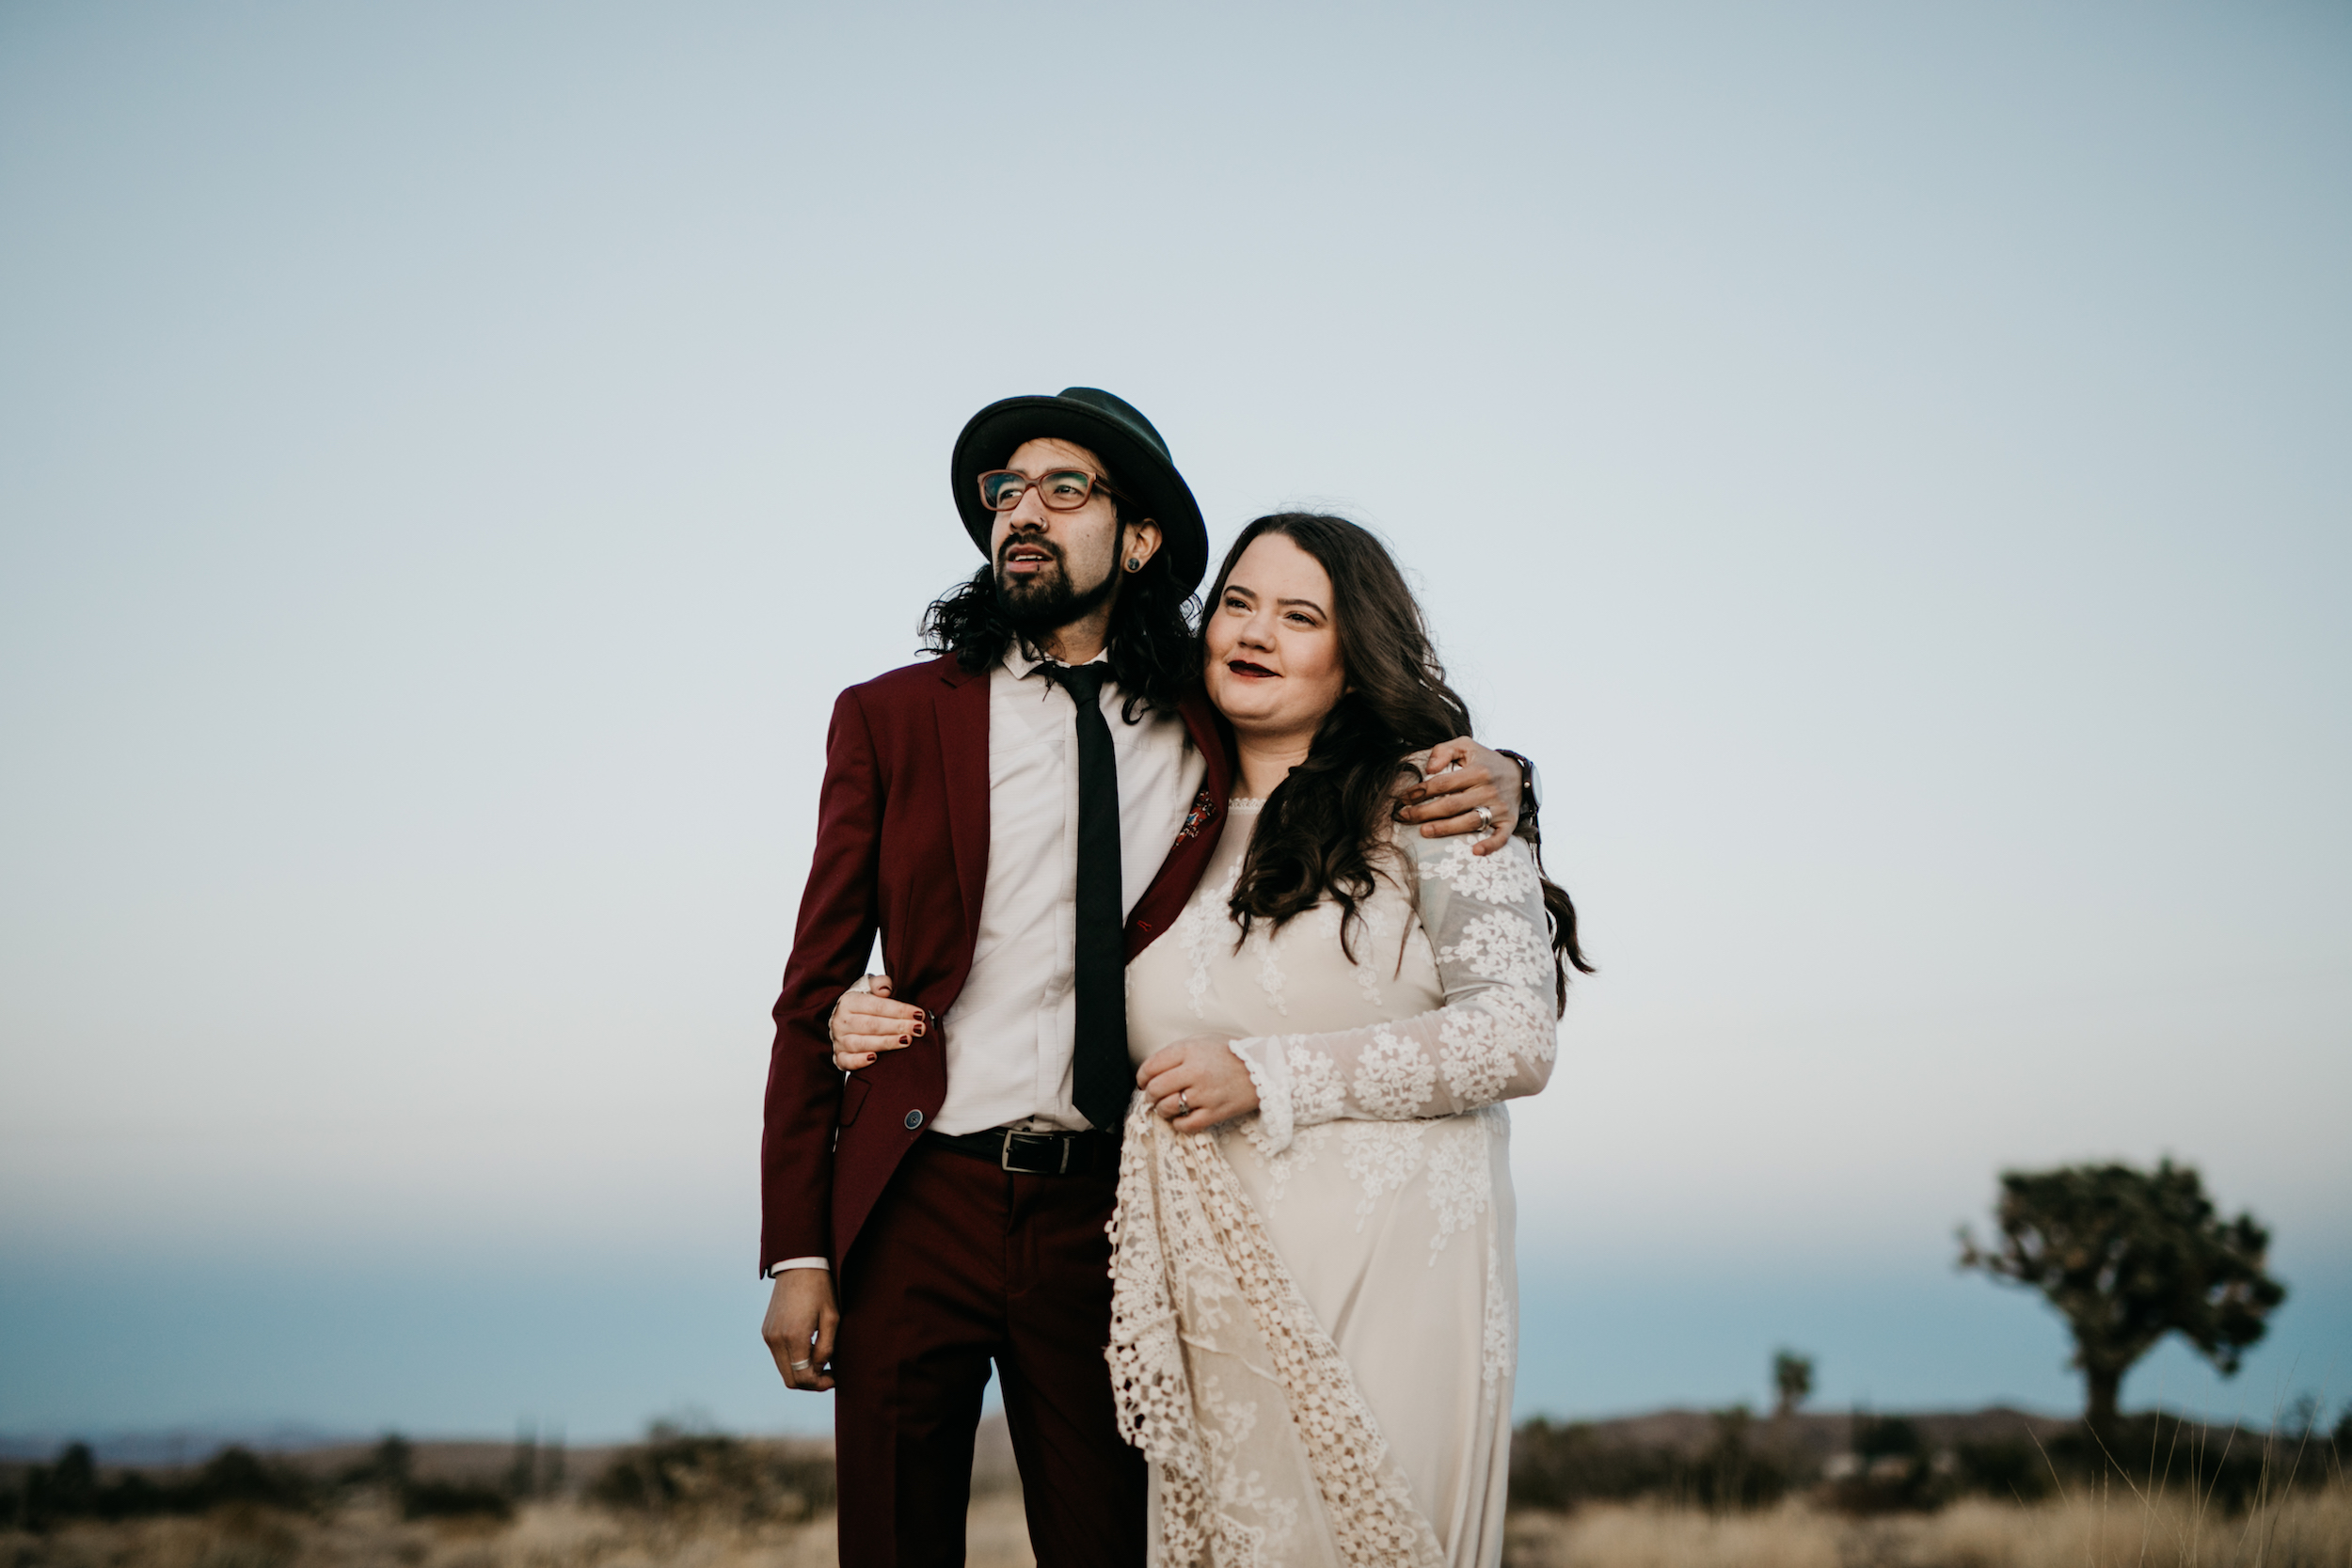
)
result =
(1323, 824)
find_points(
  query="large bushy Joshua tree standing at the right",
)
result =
(2132, 1257)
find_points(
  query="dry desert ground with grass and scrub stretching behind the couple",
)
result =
(704, 1501)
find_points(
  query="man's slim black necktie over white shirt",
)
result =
(1102, 1071)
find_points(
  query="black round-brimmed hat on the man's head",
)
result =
(1114, 431)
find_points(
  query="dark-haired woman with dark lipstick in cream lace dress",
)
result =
(1316, 1207)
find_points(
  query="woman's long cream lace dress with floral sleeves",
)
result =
(1316, 1306)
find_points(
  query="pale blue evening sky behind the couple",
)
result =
(1890, 464)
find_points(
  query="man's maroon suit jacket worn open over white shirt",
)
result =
(902, 845)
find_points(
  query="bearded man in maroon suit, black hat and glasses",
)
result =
(1017, 819)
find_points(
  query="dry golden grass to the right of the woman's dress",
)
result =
(2304, 1532)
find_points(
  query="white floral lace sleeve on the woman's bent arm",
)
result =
(1492, 1040)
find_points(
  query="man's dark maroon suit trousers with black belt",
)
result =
(961, 1266)
